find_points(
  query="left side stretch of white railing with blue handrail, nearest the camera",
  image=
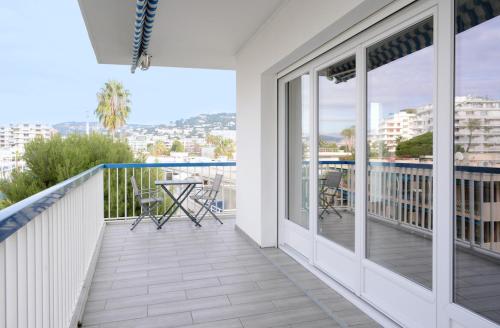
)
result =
(47, 244)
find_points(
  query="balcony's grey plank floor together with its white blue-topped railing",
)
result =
(67, 256)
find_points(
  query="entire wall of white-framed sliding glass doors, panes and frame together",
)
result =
(390, 182)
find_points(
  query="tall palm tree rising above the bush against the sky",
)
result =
(113, 107)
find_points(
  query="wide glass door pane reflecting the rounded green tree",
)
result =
(399, 179)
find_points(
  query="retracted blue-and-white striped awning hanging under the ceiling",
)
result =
(145, 12)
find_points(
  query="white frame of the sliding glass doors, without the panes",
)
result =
(415, 306)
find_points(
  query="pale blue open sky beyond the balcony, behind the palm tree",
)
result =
(49, 73)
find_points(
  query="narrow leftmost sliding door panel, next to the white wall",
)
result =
(295, 157)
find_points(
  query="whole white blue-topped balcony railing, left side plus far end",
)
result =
(49, 242)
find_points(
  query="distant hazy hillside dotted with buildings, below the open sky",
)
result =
(210, 121)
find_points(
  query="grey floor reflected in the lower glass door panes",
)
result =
(477, 281)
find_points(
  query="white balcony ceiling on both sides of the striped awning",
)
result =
(187, 33)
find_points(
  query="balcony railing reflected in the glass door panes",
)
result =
(401, 193)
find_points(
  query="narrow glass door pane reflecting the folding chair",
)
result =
(336, 153)
